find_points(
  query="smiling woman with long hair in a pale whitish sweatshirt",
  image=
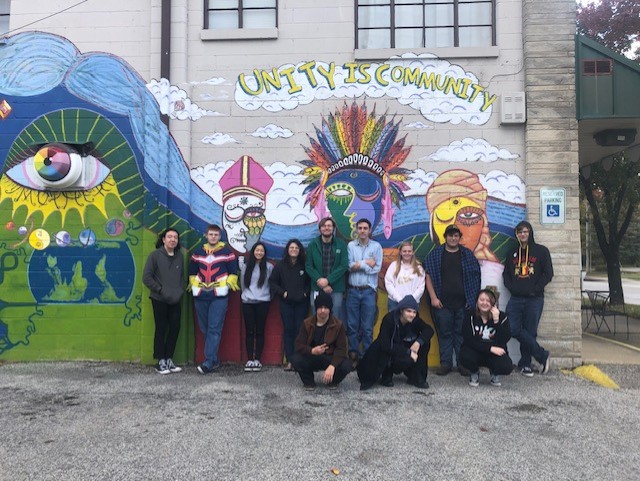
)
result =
(404, 276)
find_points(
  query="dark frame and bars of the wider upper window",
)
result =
(392, 28)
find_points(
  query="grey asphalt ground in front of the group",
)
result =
(112, 421)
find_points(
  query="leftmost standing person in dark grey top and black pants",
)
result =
(164, 276)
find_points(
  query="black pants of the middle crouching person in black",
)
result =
(376, 364)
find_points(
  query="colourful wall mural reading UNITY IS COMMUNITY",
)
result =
(90, 174)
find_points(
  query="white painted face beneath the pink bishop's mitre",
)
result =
(243, 221)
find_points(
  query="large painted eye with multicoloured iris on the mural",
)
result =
(59, 166)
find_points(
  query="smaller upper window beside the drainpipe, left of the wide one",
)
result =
(226, 14)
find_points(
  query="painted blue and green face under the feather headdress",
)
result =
(352, 195)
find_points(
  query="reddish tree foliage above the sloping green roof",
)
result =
(613, 23)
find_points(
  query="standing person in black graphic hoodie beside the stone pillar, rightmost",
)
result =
(526, 273)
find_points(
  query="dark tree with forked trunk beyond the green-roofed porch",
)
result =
(612, 188)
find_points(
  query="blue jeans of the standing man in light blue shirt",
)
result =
(361, 316)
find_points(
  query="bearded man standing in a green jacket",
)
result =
(327, 265)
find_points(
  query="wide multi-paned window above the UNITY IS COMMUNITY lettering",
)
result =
(425, 23)
